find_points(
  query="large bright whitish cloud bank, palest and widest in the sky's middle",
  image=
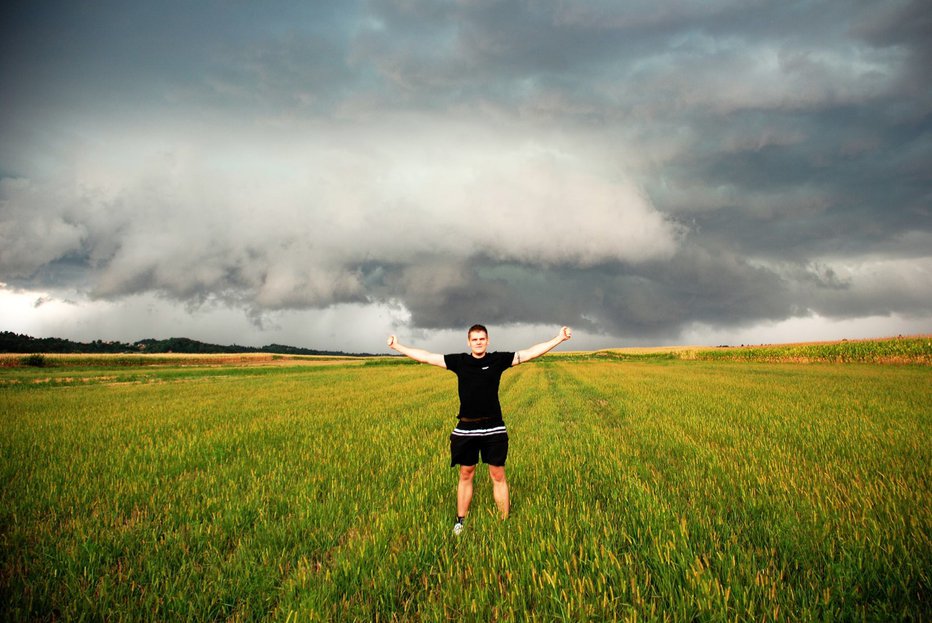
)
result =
(190, 228)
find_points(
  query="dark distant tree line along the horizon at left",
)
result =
(15, 343)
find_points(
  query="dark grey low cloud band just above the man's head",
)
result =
(651, 300)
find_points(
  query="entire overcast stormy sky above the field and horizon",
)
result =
(322, 174)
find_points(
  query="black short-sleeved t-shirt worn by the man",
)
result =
(478, 382)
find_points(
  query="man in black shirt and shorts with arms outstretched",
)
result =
(480, 430)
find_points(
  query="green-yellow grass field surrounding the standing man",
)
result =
(654, 489)
